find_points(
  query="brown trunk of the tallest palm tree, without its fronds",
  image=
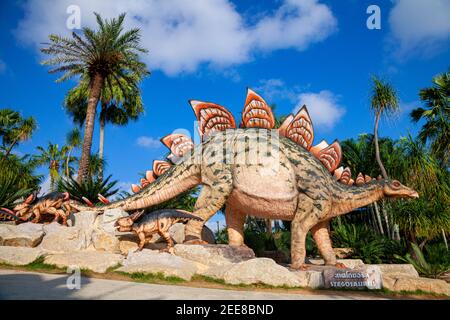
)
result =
(94, 96)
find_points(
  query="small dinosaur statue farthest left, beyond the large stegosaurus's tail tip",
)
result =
(52, 203)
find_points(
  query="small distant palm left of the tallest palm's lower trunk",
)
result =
(52, 157)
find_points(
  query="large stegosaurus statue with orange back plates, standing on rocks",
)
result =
(292, 179)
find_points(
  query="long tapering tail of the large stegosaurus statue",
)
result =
(176, 180)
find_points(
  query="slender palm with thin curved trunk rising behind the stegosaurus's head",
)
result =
(384, 101)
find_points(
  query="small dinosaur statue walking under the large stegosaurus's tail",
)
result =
(156, 222)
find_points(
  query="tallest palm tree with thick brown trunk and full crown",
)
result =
(103, 54)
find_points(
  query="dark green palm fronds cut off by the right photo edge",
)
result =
(436, 129)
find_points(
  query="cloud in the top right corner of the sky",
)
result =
(420, 27)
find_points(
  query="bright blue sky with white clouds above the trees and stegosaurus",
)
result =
(291, 52)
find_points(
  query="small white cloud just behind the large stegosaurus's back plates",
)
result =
(323, 108)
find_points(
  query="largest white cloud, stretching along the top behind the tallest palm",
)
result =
(182, 35)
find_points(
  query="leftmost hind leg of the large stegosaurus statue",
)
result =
(208, 203)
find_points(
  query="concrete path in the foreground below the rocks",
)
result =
(41, 286)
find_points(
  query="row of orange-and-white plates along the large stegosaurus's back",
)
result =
(257, 113)
